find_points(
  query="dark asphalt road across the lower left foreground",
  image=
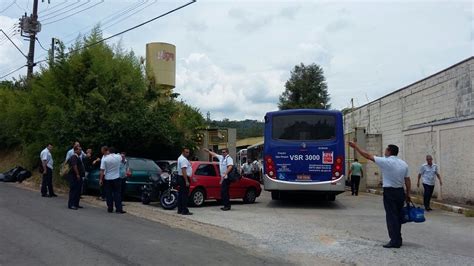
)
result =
(42, 231)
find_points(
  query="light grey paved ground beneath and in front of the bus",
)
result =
(350, 230)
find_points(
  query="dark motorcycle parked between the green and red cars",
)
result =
(164, 188)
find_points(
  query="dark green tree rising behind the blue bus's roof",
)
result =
(306, 89)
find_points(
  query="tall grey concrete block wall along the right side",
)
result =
(431, 116)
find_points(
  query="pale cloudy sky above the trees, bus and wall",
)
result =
(234, 57)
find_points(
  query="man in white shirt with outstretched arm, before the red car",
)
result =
(225, 166)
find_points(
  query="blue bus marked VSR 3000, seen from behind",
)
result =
(304, 152)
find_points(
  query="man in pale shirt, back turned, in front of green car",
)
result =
(110, 178)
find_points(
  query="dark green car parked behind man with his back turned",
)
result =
(138, 172)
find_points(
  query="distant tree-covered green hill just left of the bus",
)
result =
(245, 129)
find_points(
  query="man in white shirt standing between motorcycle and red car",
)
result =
(185, 171)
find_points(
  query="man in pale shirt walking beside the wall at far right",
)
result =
(428, 171)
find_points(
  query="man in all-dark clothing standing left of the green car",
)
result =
(76, 175)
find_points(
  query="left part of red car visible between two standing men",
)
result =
(205, 176)
